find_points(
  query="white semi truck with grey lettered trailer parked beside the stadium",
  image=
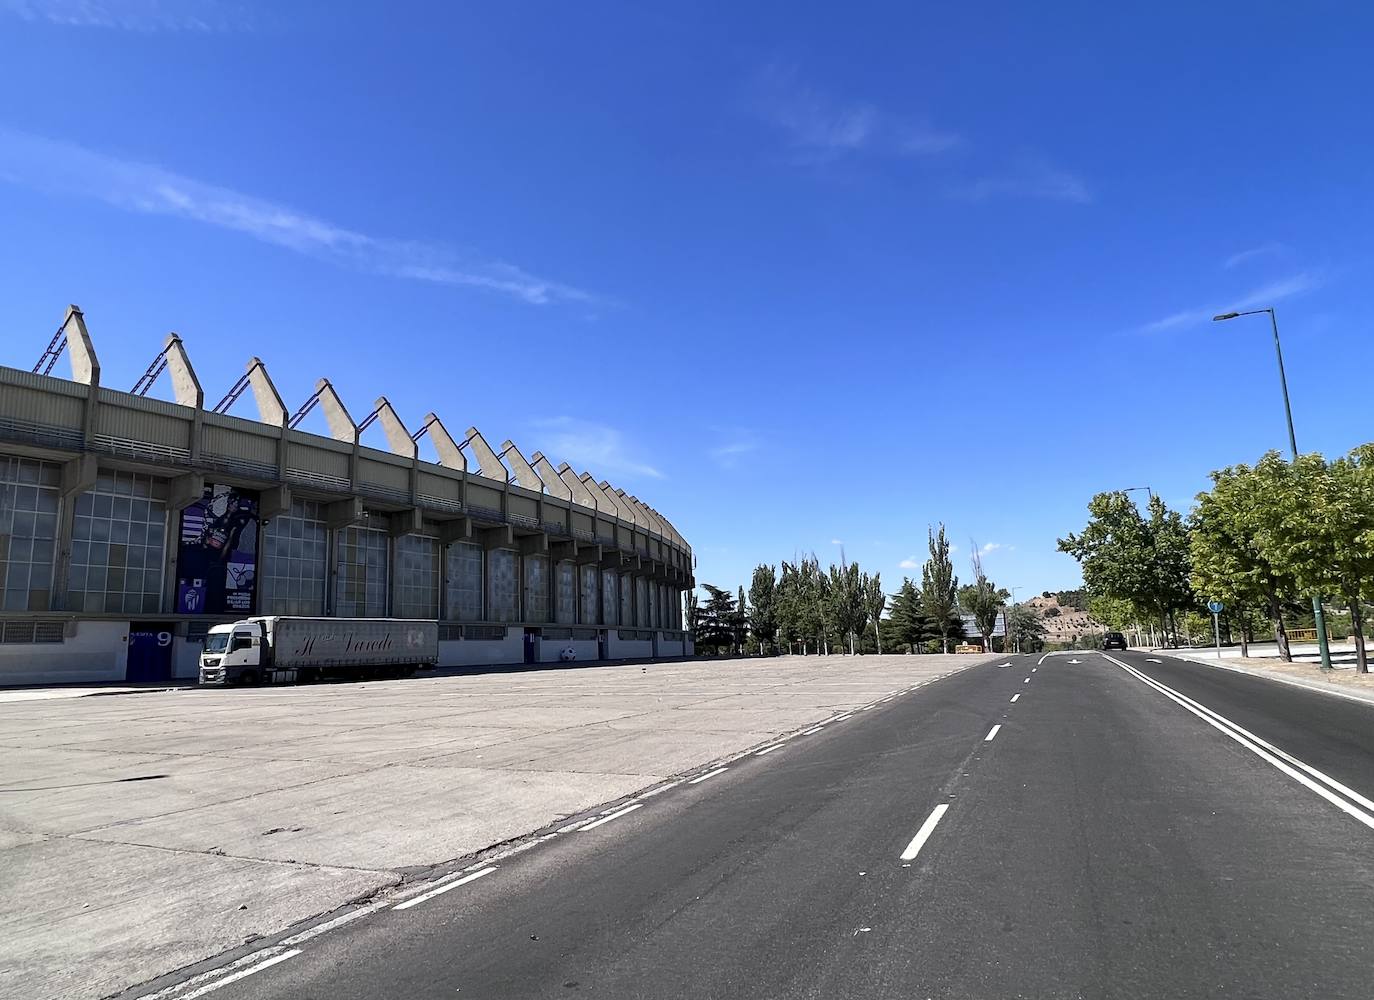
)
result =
(281, 650)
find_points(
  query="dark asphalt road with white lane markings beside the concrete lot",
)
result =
(1105, 843)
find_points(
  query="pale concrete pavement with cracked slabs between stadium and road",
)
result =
(155, 832)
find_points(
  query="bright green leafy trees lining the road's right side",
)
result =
(1265, 541)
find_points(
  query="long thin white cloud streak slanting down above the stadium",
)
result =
(60, 168)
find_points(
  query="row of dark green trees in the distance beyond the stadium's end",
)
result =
(809, 609)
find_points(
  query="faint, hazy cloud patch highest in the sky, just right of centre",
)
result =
(821, 128)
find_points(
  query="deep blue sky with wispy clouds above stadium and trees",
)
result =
(802, 277)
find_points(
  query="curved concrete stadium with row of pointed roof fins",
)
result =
(130, 525)
